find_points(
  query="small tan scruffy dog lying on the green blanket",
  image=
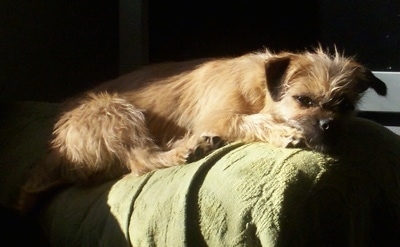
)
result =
(163, 115)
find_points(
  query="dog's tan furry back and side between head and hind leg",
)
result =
(187, 96)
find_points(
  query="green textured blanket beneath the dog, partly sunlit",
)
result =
(240, 195)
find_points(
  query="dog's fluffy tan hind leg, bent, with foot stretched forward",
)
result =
(106, 137)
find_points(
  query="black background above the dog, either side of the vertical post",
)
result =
(50, 50)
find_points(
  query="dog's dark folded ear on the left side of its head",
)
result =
(275, 69)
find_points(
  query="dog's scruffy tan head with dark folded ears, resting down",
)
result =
(315, 92)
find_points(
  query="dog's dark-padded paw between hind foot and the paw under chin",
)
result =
(205, 145)
